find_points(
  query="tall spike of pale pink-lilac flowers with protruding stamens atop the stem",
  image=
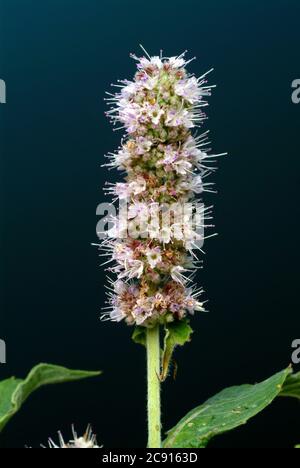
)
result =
(164, 164)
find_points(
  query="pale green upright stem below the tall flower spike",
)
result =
(153, 368)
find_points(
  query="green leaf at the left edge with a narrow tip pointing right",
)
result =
(14, 392)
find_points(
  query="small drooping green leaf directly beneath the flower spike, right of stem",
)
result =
(177, 334)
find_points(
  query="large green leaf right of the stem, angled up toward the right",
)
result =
(227, 410)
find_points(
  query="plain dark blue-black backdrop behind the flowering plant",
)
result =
(57, 58)
